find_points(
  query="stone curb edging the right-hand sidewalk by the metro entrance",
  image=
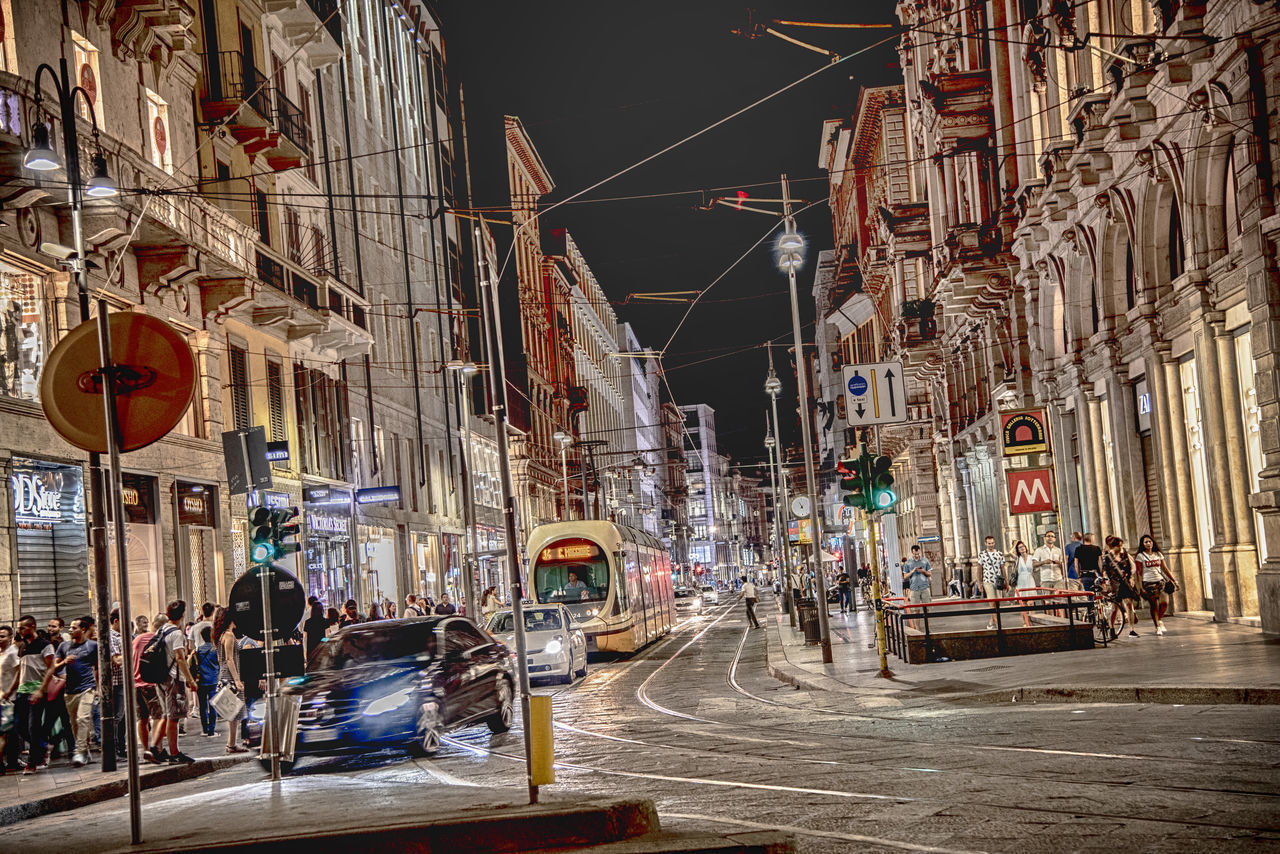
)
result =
(807, 681)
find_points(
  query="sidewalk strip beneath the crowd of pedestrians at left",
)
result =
(63, 787)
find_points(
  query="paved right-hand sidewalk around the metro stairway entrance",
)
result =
(1196, 663)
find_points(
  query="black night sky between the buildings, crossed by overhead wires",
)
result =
(604, 85)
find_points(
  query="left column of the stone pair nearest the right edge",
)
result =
(1227, 597)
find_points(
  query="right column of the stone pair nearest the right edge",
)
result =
(1245, 558)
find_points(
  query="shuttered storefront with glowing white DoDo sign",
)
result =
(52, 541)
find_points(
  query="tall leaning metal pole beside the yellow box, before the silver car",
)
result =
(497, 372)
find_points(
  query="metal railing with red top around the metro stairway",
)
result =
(900, 616)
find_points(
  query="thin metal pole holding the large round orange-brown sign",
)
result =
(113, 451)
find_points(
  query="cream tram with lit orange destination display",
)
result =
(615, 581)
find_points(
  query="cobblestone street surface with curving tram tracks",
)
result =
(697, 724)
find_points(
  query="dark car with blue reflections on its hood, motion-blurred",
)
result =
(403, 683)
